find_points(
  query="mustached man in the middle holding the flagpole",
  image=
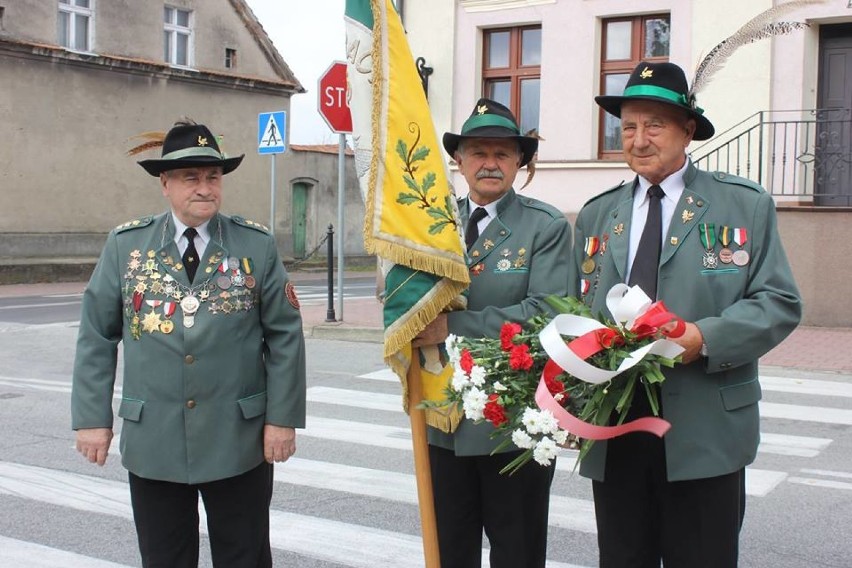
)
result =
(518, 249)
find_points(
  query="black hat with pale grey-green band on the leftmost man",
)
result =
(190, 146)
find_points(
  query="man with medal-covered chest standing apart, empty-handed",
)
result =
(214, 363)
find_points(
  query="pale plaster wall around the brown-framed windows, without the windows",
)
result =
(778, 73)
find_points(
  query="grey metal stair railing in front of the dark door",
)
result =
(801, 156)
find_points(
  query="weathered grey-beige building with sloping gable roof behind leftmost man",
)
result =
(80, 79)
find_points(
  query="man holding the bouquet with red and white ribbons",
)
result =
(708, 246)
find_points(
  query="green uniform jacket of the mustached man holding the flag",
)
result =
(521, 257)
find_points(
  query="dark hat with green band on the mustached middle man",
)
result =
(490, 119)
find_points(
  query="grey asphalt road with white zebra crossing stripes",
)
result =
(348, 497)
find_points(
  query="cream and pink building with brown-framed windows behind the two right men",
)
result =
(782, 107)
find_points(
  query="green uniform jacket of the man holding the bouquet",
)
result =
(742, 312)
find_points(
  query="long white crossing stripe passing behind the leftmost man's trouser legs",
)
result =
(356, 546)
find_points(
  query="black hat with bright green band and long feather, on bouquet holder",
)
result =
(664, 83)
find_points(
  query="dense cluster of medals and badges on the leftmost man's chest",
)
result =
(189, 302)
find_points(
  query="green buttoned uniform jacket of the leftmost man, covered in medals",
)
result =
(194, 400)
